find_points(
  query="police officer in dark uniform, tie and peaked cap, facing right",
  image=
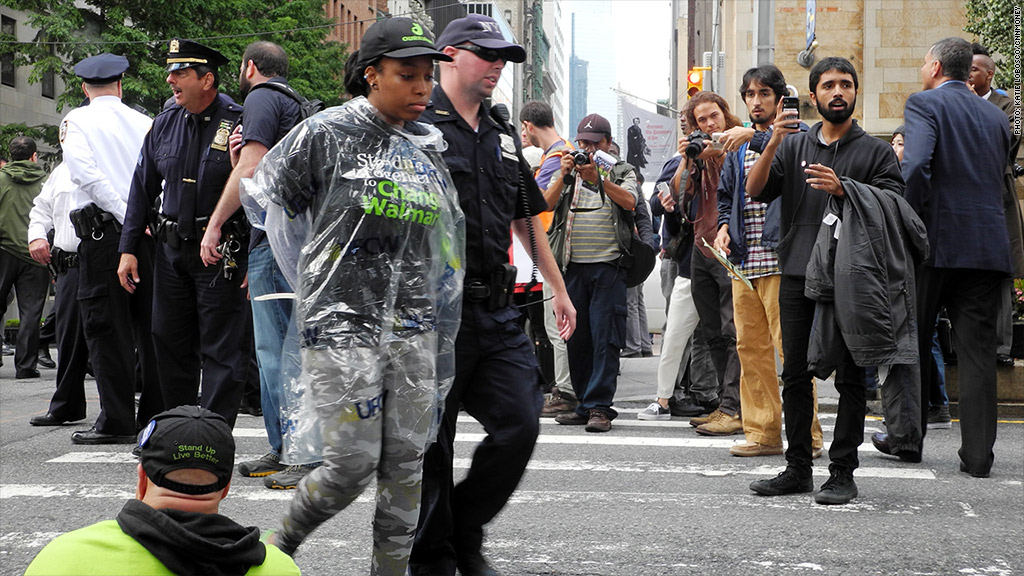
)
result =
(199, 313)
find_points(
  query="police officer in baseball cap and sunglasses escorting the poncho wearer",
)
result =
(498, 380)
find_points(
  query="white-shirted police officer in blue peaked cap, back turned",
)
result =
(101, 145)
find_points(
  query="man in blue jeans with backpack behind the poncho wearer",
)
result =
(269, 115)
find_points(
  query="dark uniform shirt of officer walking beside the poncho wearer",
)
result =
(486, 170)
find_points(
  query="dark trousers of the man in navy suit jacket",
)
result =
(971, 299)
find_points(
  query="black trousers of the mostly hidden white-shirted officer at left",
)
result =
(68, 402)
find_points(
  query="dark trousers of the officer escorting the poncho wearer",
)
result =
(499, 384)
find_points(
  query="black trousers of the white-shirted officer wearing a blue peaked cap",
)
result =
(117, 326)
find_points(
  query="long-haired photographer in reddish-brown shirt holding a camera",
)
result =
(710, 282)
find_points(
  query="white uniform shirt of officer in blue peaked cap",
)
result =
(101, 146)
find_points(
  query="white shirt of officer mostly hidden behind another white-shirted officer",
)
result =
(59, 197)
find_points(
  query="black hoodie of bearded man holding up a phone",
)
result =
(857, 156)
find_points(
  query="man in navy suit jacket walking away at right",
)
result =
(956, 155)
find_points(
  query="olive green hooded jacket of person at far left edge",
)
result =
(21, 183)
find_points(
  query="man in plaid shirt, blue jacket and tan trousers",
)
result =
(749, 234)
